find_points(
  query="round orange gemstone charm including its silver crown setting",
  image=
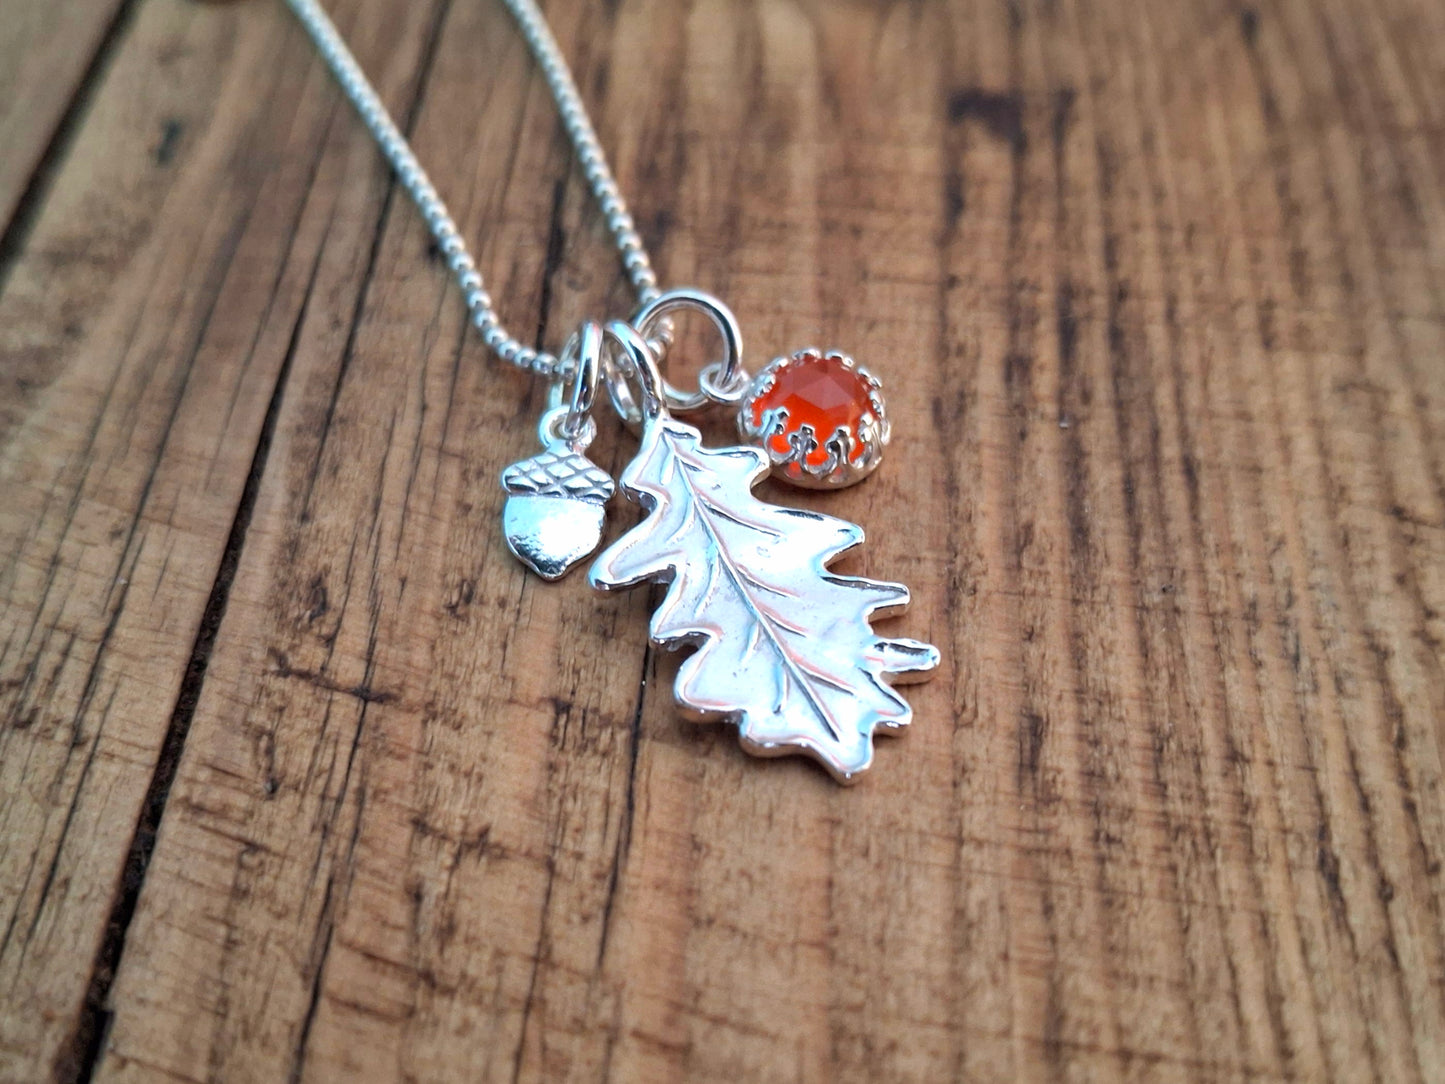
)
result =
(820, 417)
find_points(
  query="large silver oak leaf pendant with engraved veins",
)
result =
(785, 648)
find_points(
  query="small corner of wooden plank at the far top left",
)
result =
(50, 56)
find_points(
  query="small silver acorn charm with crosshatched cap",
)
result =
(556, 509)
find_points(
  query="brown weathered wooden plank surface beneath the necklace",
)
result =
(303, 778)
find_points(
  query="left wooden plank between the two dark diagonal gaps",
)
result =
(144, 332)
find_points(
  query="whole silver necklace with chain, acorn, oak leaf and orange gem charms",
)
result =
(784, 648)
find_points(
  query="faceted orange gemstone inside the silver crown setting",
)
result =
(821, 392)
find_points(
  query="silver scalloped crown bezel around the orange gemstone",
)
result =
(852, 456)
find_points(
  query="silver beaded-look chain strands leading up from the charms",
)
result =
(439, 219)
